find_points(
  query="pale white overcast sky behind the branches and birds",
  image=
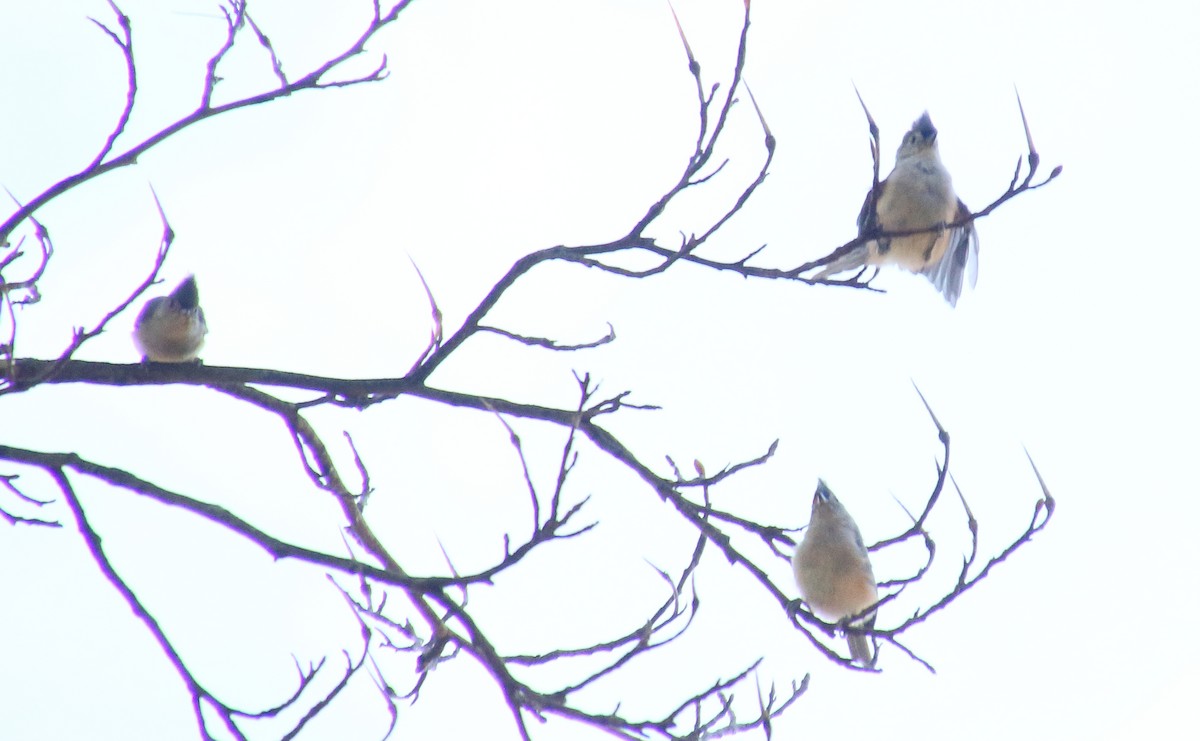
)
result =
(507, 128)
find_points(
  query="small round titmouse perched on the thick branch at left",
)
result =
(171, 329)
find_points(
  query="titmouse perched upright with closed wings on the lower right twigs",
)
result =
(833, 570)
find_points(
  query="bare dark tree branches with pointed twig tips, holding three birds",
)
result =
(409, 624)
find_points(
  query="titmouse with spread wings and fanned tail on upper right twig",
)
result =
(917, 195)
